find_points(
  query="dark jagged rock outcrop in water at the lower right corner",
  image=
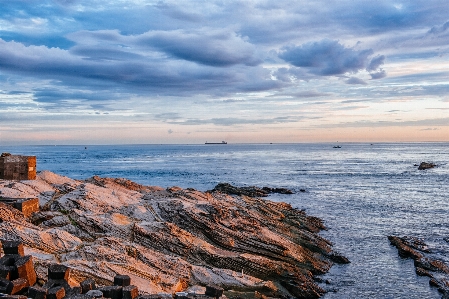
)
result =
(425, 265)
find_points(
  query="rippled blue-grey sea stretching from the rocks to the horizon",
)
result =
(363, 193)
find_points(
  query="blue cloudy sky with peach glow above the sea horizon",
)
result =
(187, 72)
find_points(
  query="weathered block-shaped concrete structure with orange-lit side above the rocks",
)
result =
(14, 167)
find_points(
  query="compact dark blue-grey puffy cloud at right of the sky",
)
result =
(326, 57)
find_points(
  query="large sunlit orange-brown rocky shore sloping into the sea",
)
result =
(168, 240)
